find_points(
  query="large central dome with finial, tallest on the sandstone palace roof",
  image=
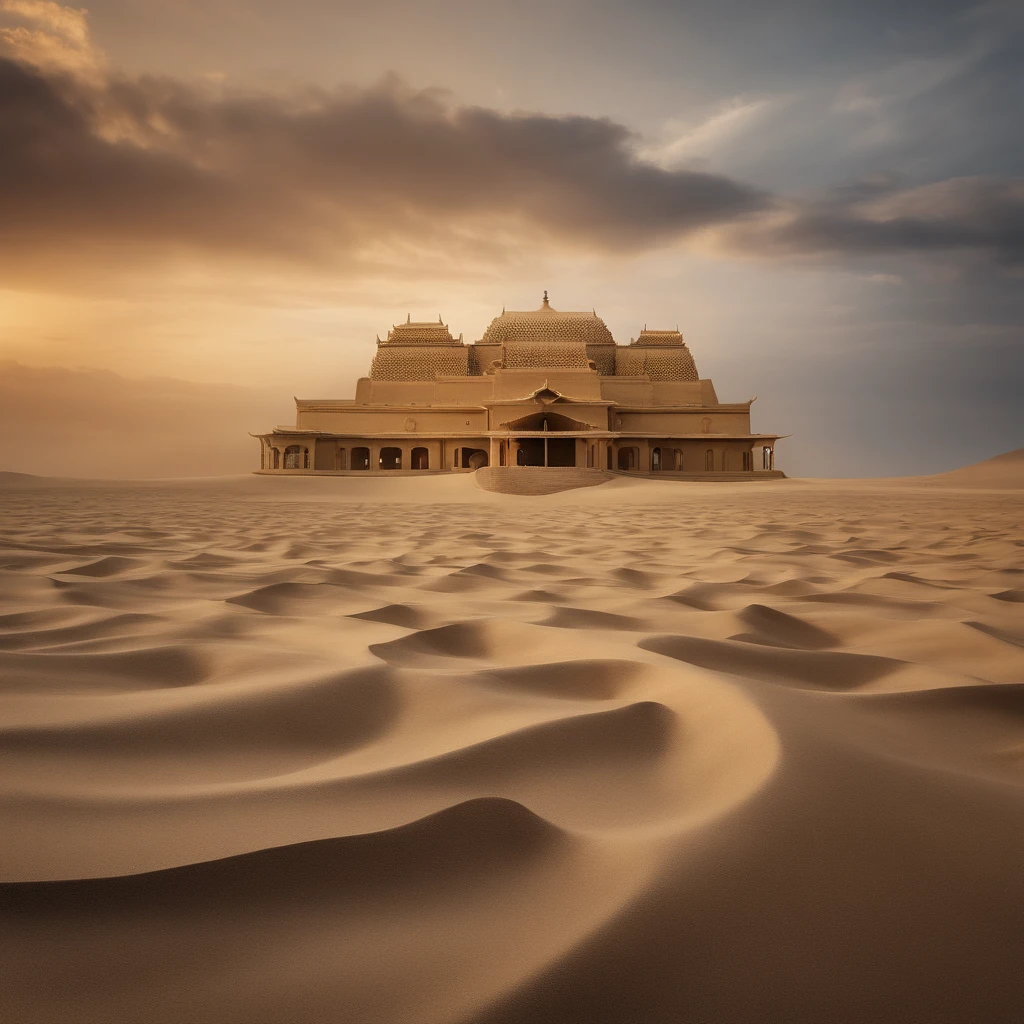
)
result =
(545, 338)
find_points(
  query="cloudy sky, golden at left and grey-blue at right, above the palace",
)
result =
(208, 207)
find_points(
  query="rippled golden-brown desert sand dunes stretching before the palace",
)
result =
(402, 751)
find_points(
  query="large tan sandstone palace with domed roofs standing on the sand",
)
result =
(543, 389)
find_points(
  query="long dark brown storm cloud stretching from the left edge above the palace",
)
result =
(159, 163)
